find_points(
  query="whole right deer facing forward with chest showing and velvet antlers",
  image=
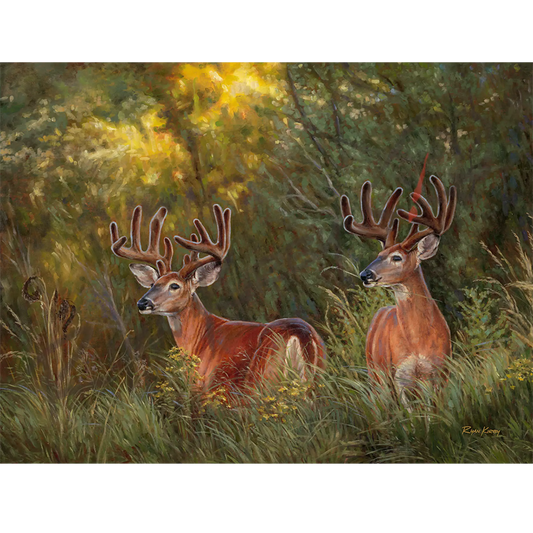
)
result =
(411, 340)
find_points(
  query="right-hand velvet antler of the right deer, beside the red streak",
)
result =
(437, 225)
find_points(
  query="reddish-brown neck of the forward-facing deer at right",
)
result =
(418, 314)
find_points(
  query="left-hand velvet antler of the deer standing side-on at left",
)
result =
(135, 252)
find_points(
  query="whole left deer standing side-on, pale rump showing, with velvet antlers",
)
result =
(236, 354)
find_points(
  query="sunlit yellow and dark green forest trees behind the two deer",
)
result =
(83, 141)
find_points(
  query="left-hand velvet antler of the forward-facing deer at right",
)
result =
(369, 228)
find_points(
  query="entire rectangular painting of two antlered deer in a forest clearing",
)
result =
(266, 262)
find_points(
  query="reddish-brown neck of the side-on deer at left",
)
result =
(190, 326)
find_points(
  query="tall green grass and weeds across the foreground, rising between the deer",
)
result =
(63, 404)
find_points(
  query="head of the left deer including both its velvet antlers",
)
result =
(171, 292)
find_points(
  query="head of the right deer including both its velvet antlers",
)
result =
(398, 261)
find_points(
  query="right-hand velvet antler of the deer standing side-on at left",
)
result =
(216, 251)
